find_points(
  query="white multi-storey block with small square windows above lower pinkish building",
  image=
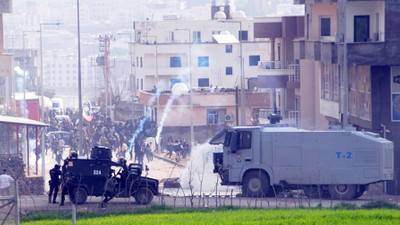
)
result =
(167, 51)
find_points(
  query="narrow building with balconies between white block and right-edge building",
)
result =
(280, 74)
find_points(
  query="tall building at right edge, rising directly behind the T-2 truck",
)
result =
(349, 68)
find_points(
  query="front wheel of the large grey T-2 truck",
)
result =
(255, 184)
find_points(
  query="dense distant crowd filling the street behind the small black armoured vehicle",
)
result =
(100, 130)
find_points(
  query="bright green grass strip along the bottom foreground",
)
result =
(241, 216)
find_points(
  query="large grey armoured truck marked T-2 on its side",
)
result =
(335, 163)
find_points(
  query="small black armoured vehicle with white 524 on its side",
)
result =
(91, 175)
